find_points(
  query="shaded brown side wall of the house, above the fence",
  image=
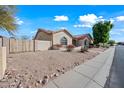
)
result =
(43, 36)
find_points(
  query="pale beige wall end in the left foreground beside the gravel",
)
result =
(2, 61)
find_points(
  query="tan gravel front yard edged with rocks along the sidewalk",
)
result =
(34, 69)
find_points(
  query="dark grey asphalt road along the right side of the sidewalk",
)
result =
(116, 77)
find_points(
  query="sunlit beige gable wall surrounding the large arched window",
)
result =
(57, 37)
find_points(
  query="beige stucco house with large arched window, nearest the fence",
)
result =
(62, 37)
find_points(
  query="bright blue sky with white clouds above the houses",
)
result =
(76, 19)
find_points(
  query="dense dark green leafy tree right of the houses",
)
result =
(101, 32)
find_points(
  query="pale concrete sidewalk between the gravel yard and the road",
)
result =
(91, 74)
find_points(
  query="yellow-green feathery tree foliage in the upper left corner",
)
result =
(7, 20)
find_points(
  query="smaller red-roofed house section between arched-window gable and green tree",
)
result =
(82, 40)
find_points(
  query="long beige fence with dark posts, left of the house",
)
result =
(16, 46)
